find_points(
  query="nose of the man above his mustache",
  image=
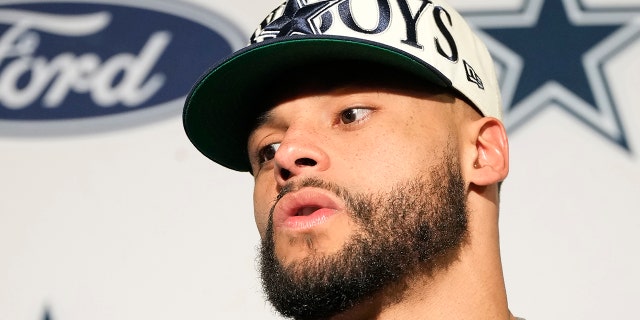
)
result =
(299, 153)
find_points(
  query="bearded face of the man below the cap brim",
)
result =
(354, 189)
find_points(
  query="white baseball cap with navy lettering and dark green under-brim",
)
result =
(424, 39)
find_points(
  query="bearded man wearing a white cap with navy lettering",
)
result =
(373, 132)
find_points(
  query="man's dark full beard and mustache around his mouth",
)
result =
(414, 227)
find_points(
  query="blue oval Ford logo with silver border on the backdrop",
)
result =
(86, 66)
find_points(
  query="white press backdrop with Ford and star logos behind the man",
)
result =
(108, 213)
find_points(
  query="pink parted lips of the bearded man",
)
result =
(318, 206)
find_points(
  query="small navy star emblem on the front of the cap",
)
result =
(297, 18)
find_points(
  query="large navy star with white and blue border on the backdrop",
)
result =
(553, 53)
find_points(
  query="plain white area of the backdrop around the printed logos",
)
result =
(136, 224)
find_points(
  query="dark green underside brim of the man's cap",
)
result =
(222, 108)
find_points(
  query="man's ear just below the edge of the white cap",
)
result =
(491, 162)
